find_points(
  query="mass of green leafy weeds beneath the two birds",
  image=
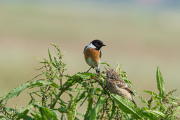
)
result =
(47, 102)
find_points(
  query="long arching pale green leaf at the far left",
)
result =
(15, 92)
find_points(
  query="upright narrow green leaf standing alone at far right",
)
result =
(160, 83)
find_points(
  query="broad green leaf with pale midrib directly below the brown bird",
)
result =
(127, 106)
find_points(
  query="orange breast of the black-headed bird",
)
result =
(94, 54)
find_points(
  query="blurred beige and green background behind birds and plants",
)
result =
(140, 35)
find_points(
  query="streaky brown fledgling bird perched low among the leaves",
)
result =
(118, 86)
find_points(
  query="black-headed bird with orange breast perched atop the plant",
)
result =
(92, 54)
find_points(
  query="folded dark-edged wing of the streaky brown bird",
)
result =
(121, 84)
